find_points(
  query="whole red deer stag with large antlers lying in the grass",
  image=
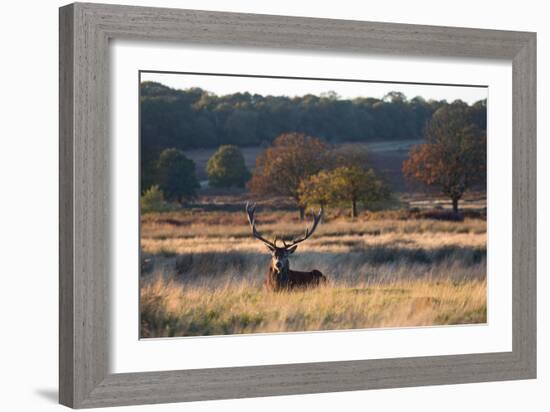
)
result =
(280, 277)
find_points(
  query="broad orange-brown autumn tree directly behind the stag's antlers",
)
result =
(281, 168)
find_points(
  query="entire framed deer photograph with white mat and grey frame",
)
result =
(257, 205)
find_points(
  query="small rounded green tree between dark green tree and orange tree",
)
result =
(226, 168)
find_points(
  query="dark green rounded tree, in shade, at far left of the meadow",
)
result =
(176, 174)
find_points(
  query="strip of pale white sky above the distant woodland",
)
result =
(222, 85)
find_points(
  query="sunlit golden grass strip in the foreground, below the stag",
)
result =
(169, 308)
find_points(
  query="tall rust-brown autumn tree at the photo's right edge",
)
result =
(453, 159)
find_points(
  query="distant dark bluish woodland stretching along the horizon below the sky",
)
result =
(195, 118)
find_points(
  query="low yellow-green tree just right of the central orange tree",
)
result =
(354, 184)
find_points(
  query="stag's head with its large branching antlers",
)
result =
(280, 254)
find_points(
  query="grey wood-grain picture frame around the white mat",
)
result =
(85, 32)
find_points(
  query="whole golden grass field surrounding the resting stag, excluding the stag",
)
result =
(202, 272)
